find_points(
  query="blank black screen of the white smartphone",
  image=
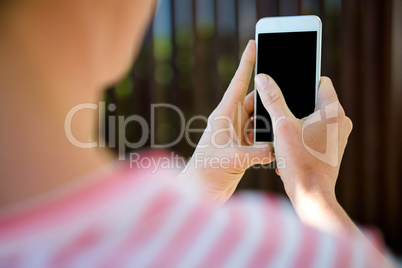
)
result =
(290, 59)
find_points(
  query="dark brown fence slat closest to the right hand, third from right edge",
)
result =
(349, 92)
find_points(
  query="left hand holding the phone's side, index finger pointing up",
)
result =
(225, 149)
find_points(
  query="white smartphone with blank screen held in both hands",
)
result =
(288, 50)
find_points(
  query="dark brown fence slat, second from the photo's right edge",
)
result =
(373, 99)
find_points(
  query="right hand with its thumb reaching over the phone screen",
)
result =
(311, 149)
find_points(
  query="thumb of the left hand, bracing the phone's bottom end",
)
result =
(253, 155)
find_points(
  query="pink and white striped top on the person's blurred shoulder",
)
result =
(137, 219)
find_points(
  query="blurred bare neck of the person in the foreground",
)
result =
(37, 157)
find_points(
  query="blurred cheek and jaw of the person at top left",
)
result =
(87, 40)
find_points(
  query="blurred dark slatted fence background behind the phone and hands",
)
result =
(192, 50)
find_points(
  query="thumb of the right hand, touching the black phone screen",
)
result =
(271, 96)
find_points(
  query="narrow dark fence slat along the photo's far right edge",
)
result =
(394, 141)
